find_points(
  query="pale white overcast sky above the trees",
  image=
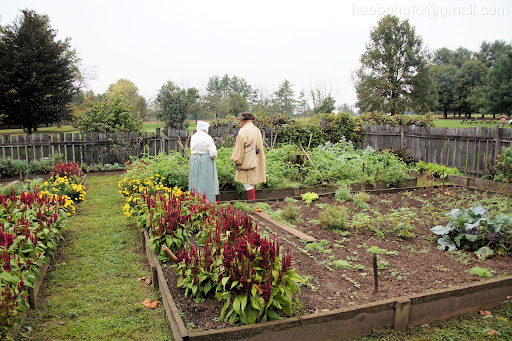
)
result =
(310, 43)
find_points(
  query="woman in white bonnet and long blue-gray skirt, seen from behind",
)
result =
(202, 176)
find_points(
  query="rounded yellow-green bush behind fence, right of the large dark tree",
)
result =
(108, 115)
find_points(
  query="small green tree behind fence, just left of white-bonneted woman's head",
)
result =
(172, 104)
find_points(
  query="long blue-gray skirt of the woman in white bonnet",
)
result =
(202, 176)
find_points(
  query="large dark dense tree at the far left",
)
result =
(37, 72)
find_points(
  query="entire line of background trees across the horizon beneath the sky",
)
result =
(41, 83)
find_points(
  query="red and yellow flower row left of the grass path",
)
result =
(32, 217)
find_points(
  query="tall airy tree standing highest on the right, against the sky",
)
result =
(394, 75)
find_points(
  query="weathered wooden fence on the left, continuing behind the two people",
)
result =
(102, 148)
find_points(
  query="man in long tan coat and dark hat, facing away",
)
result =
(249, 156)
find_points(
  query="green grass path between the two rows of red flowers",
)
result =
(92, 291)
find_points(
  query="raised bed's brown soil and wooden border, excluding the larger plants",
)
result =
(417, 283)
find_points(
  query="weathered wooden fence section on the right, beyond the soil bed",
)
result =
(469, 149)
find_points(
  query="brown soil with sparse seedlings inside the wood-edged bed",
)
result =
(418, 266)
